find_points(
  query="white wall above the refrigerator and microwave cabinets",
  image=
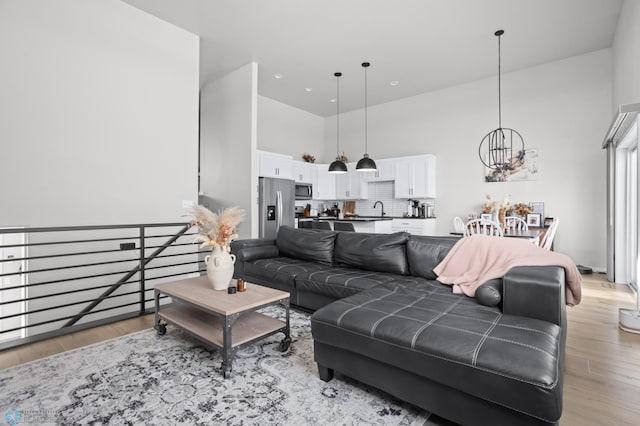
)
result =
(289, 130)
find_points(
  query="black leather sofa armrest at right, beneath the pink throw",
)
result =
(535, 292)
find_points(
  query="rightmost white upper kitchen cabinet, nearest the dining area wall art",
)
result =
(415, 177)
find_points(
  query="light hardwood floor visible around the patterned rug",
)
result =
(602, 367)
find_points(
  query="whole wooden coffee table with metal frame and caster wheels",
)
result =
(225, 321)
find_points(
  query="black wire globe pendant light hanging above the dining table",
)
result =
(498, 147)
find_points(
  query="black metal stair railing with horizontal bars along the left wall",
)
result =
(58, 280)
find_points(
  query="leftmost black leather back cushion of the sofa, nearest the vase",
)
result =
(306, 244)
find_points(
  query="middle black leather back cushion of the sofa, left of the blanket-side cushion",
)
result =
(372, 252)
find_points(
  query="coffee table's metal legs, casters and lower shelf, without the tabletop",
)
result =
(205, 324)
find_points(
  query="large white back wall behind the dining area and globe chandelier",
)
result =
(561, 108)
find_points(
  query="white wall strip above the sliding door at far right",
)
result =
(626, 56)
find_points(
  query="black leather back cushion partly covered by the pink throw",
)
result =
(425, 253)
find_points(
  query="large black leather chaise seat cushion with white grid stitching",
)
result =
(451, 339)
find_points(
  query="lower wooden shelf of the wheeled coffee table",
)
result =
(246, 328)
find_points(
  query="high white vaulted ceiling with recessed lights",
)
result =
(423, 45)
